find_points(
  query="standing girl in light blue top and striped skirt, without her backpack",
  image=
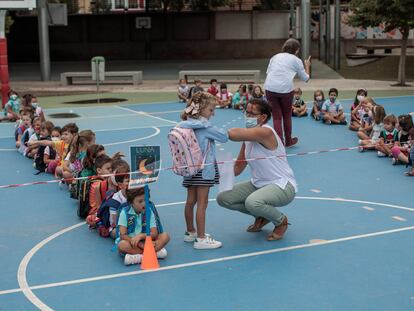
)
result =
(196, 117)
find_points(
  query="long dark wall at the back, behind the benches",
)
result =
(173, 36)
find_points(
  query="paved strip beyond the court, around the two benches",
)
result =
(162, 76)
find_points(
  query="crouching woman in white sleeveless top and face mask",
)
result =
(272, 183)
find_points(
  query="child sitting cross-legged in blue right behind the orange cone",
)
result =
(132, 227)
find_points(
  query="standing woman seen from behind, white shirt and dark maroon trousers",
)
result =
(282, 68)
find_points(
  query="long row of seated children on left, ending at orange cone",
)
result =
(98, 181)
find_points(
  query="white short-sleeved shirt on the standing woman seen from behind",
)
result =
(281, 70)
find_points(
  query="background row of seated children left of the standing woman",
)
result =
(238, 100)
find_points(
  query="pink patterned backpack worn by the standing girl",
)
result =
(188, 159)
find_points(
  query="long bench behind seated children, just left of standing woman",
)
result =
(240, 75)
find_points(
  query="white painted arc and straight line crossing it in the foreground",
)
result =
(27, 290)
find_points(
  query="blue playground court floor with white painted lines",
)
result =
(349, 246)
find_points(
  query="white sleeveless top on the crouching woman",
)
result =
(273, 170)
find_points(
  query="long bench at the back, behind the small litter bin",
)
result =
(67, 78)
